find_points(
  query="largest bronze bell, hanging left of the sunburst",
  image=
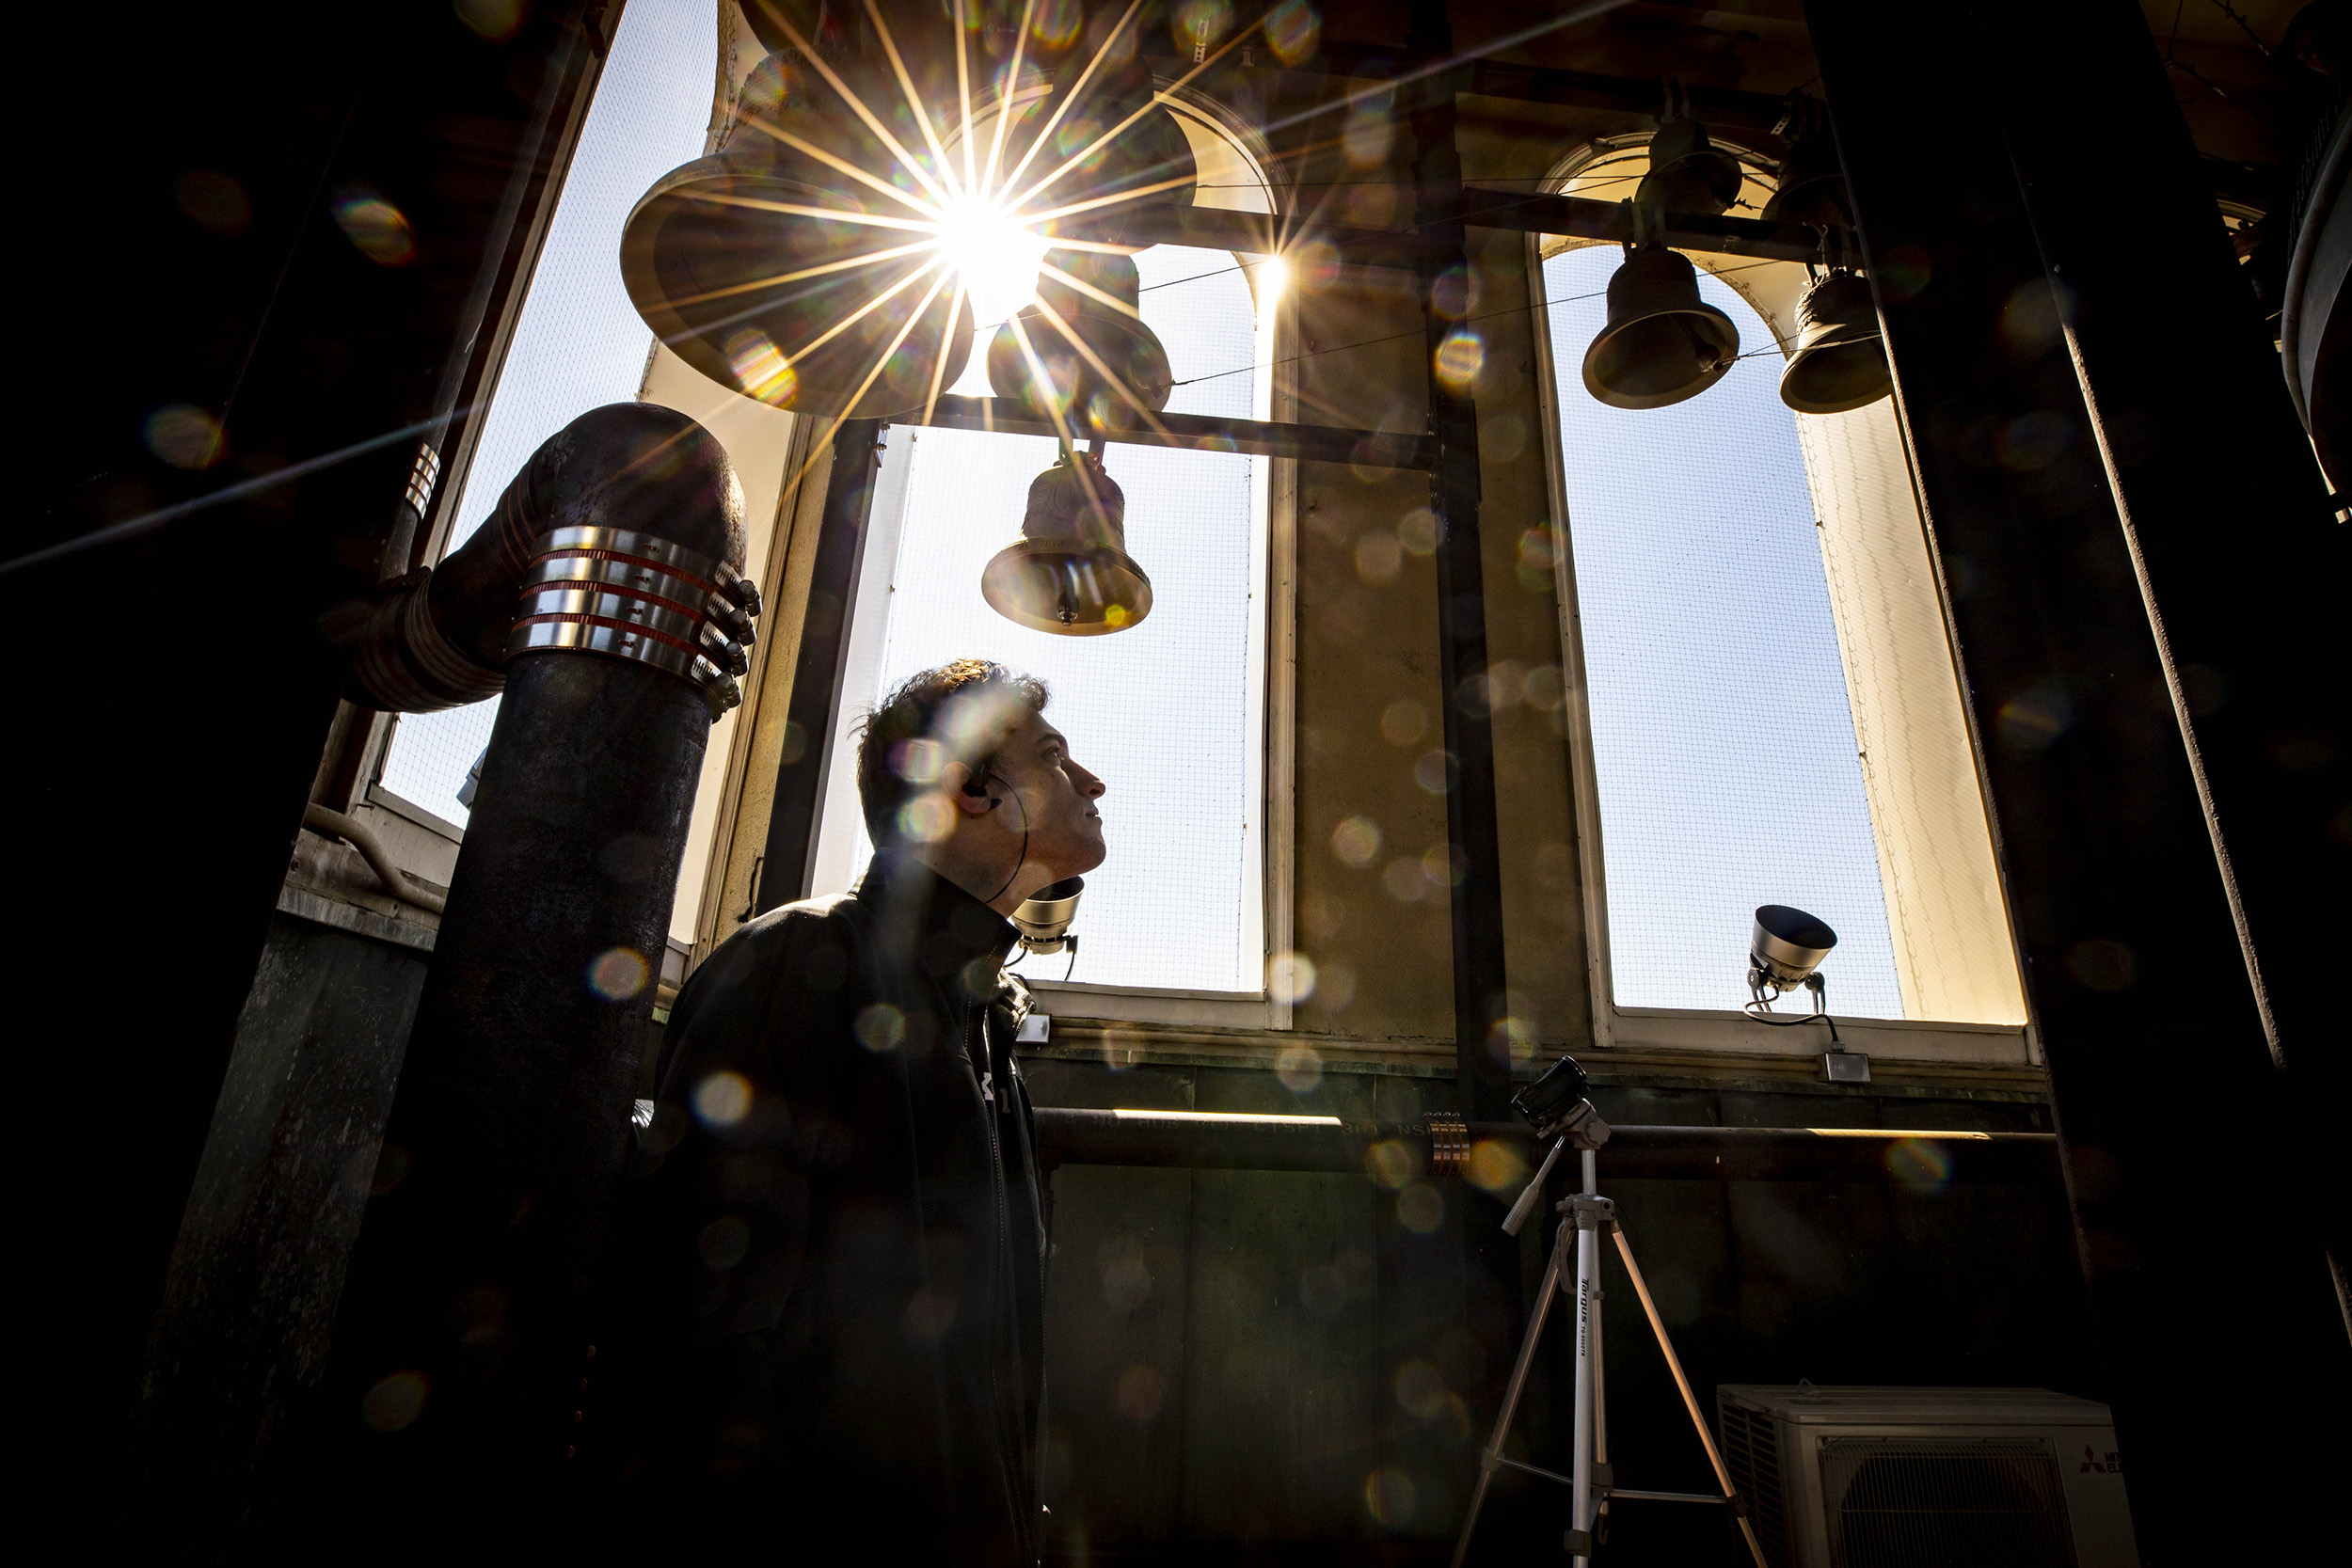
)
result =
(735, 276)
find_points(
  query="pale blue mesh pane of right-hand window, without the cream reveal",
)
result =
(1720, 723)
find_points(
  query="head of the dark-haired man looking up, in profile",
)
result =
(961, 768)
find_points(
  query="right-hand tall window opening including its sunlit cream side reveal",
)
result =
(1756, 732)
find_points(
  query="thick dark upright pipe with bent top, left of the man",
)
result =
(465, 1320)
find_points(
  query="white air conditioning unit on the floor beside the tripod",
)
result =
(1927, 1477)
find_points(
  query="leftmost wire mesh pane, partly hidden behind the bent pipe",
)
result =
(577, 344)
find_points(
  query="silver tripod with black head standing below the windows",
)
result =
(1593, 1485)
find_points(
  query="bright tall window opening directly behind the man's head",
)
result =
(1170, 713)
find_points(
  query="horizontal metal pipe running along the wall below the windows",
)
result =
(1198, 1141)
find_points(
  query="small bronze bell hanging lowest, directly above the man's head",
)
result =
(1071, 572)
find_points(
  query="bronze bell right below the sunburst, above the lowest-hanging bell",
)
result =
(1045, 375)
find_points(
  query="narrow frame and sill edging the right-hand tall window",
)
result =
(1655, 1028)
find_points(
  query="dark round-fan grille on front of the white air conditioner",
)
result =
(1944, 1503)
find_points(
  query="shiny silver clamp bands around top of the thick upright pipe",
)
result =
(643, 598)
